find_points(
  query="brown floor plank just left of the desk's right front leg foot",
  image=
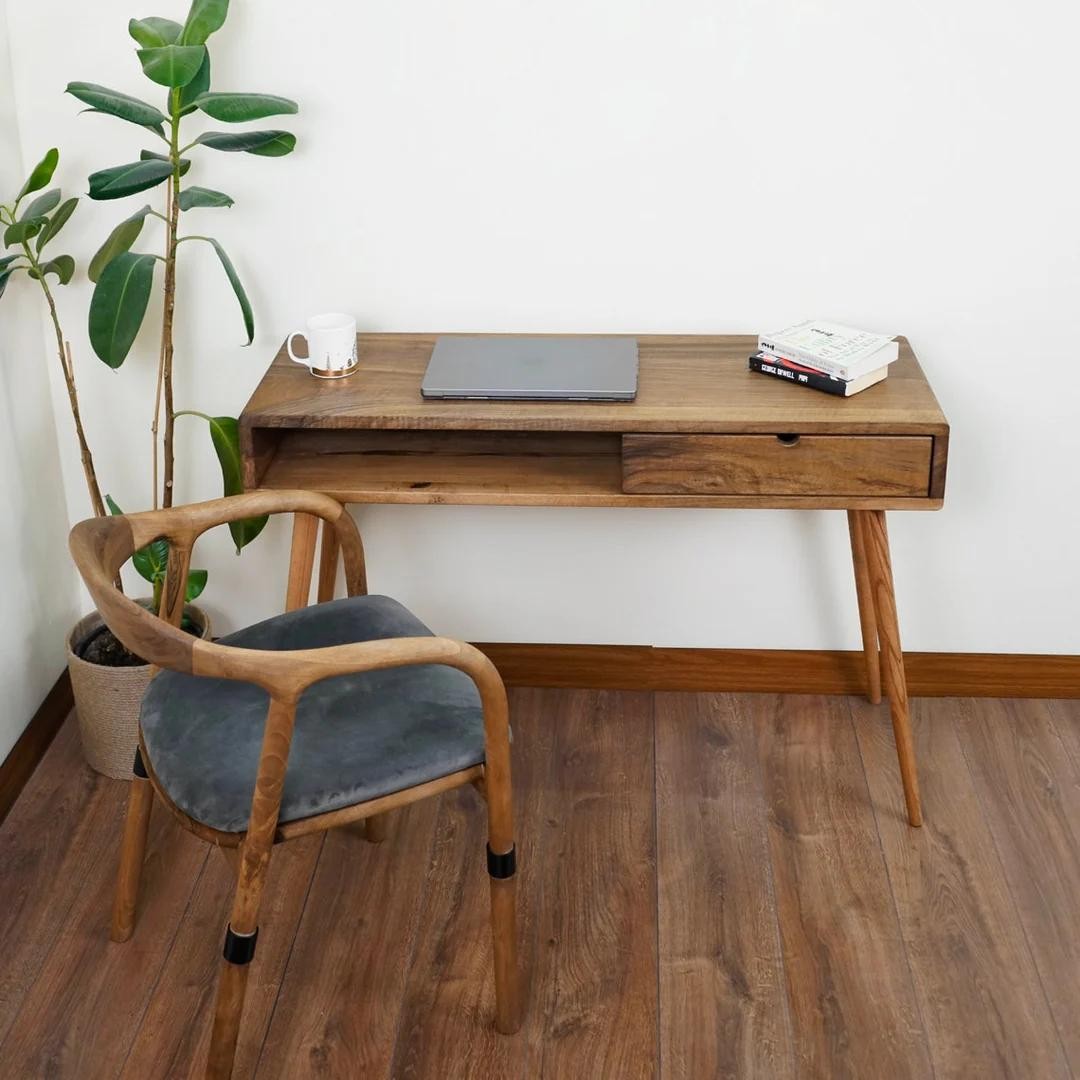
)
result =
(854, 1009)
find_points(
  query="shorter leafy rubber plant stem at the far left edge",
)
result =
(29, 234)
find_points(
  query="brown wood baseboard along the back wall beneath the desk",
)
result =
(781, 671)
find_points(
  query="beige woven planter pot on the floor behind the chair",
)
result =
(107, 700)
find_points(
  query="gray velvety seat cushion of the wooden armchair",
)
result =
(357, 737)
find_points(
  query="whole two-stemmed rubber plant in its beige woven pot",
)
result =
(109, 681)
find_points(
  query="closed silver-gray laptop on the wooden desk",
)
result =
(557, 369)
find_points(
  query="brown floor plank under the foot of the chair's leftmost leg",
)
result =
(73, 1027)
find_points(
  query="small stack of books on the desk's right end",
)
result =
(839, 360)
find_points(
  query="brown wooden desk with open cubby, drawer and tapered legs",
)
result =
(704, 433)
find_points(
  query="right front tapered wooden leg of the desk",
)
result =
(876, 538)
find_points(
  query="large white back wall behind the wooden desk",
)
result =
(633, 166)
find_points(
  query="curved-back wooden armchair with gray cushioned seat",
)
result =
(264, 680)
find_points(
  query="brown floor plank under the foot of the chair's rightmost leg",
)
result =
(447, 1028)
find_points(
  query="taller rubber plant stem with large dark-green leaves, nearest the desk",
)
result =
(173, 57)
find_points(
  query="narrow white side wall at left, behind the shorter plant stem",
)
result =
(38, 588)
